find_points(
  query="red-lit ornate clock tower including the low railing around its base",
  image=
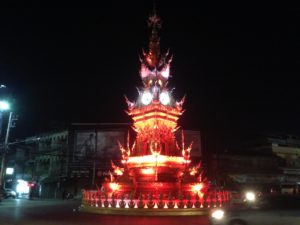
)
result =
(154, 165)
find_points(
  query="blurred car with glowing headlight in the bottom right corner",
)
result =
(269, 210)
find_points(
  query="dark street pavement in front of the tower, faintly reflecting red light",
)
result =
(59, 212)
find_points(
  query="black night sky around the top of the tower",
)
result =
(238, 64)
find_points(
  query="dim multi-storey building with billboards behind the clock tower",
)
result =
(71, 159)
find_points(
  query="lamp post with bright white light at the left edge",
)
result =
(3, 107)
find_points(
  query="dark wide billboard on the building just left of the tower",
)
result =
(101, 144)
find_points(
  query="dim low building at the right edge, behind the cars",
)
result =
(261, 161)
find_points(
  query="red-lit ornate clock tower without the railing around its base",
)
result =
(155, 163)
